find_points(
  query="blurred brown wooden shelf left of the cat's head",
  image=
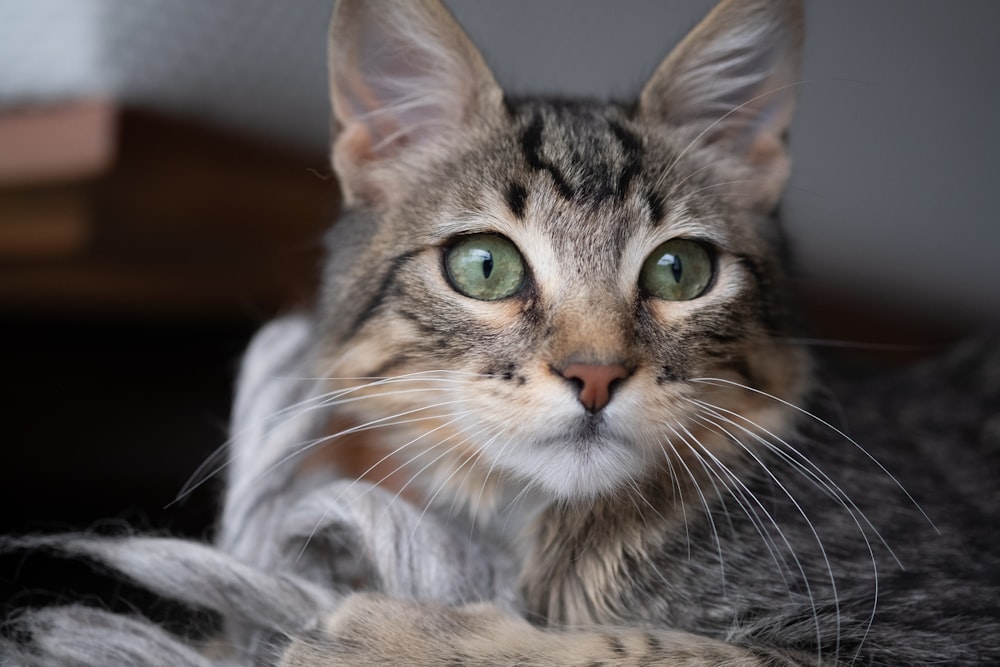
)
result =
(127, 213)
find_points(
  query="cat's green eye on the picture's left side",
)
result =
(485, 267)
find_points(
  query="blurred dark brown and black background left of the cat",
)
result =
(128, 292)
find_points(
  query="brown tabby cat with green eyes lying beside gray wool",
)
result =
(585, 307)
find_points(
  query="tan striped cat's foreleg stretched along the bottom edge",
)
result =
(371, 629)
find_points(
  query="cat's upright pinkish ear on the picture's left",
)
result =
(403, 76)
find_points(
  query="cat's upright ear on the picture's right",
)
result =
(732, 82)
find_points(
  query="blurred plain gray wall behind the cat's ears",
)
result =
(896, 141)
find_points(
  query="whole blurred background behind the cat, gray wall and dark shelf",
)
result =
(164, 188)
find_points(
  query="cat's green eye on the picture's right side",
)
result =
(678, 270)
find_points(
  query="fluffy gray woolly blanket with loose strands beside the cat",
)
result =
(287, 550)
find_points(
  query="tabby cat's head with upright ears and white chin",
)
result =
(559, 293)
